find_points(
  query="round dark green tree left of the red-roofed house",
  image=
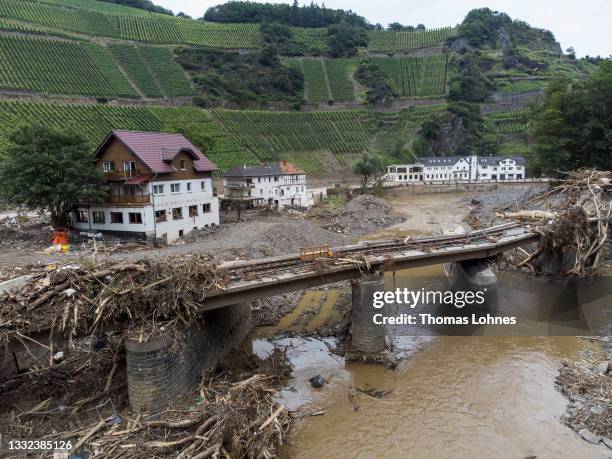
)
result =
(50, 170)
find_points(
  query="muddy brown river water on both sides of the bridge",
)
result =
(454, 396)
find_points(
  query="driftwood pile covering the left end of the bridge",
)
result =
(81, 299)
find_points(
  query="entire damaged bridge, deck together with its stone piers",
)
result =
(158, 370)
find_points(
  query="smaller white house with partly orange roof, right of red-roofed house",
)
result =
(277, 185)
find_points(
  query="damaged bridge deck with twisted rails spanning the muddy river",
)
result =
(272, 276)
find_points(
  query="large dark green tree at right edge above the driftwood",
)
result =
(572, 127)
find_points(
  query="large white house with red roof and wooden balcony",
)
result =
(160, 187)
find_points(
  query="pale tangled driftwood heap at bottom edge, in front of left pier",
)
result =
(228, 420)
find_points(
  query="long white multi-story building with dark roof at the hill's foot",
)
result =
(432, 169)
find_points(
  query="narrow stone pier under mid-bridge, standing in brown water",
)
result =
(367, 342)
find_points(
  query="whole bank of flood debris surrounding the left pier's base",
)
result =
(233, 412)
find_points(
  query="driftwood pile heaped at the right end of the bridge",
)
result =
(562, 216)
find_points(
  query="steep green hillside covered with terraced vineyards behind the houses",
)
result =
(80, 54)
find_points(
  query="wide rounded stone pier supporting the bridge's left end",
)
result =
(167, 365)
